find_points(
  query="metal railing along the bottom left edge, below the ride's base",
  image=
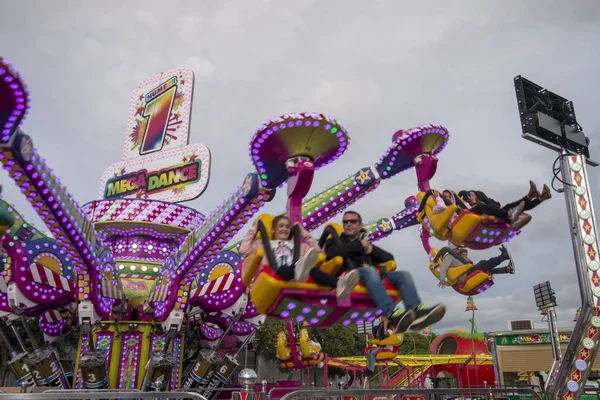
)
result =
(101, 394)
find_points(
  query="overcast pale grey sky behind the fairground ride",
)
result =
(377, 66)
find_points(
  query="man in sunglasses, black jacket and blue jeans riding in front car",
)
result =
(361, 255)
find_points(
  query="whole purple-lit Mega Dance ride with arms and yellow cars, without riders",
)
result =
(139, 272)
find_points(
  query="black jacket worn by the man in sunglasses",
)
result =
(353, 251)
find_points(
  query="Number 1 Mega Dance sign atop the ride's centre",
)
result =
(158, 161)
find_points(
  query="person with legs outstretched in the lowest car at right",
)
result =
(453, 257)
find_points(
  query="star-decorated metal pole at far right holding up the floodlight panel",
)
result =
(568, 380)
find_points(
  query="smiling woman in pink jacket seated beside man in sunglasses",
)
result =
(283, 249)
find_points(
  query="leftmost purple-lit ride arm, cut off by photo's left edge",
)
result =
(57, 208)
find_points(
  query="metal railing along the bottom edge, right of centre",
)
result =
(488, 393)
